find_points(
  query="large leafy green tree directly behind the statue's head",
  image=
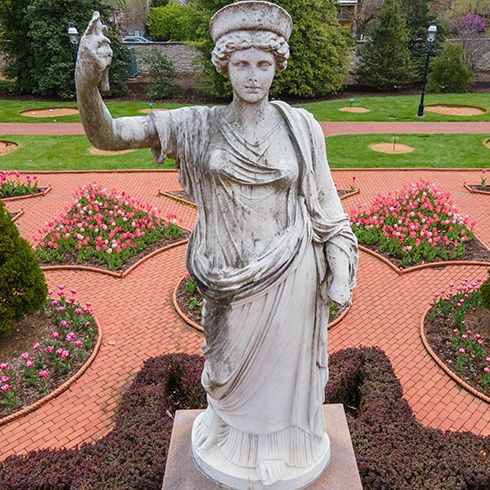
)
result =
(319, 49)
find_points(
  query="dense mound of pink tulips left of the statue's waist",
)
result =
(106, 226)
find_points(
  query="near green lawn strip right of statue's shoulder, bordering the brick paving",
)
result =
(434, 151)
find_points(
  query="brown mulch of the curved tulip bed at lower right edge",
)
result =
(478, 322)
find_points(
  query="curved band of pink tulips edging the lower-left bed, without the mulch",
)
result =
(73, 335)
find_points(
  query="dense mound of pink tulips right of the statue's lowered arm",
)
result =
(417, 223)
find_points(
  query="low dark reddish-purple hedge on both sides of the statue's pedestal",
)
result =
(393, 450)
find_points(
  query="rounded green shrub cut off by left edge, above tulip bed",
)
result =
(23, 288)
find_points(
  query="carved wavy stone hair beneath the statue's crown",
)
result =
(239, 40)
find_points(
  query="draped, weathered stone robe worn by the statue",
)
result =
(268, 212)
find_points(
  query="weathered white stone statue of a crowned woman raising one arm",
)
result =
(271, 248)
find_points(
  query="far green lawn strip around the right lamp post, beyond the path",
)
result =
(401, 108)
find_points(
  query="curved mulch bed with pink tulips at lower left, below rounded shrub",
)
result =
(50, 348)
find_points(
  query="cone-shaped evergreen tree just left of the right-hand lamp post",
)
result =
(385, 61)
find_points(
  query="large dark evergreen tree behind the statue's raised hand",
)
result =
(38, 53)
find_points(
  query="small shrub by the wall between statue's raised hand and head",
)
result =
(161, 73)
